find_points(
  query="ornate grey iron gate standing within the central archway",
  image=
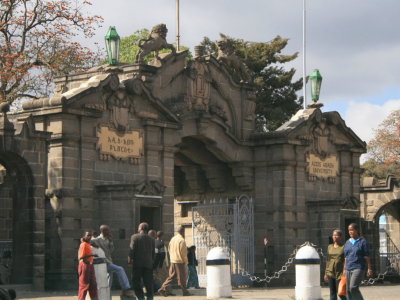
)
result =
(227, 225)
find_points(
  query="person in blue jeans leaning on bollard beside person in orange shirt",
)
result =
(105, 242)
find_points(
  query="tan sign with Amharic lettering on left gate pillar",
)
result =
(128, 145)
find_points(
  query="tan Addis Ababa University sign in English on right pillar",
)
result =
(323, 168)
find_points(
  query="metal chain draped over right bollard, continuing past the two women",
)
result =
(289, 262)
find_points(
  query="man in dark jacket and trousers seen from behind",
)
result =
(141, 257)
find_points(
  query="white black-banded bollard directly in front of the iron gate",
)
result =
(218, 274)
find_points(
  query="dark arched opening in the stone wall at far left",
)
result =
(16, 215)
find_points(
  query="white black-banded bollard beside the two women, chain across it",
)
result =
(308, 284)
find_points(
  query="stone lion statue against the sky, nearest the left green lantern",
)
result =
(155, 42)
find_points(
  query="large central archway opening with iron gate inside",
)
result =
(212, 204)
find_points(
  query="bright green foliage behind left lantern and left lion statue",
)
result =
(130, 47)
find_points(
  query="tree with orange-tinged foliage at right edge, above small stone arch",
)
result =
(383, 151)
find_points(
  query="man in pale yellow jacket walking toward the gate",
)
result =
(178, 255)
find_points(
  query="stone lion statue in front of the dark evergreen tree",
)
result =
(227, 56)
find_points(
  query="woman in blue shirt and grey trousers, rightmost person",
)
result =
(356, 260)
